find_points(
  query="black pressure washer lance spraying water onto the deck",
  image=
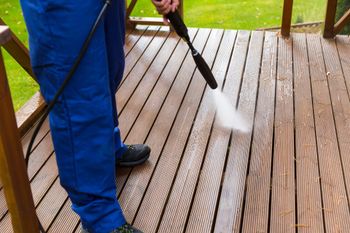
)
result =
(181, 29)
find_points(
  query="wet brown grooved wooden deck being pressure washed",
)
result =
(290, 174)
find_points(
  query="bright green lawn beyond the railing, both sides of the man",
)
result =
(234, 14)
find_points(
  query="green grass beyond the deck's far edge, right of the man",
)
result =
(239, 14)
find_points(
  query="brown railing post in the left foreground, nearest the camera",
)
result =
(13, 171)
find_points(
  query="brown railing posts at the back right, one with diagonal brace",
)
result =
(331, 28)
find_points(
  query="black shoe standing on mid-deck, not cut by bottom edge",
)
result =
(135, 155)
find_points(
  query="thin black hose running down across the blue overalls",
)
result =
(63, 85)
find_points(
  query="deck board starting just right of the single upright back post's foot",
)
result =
(309, 199)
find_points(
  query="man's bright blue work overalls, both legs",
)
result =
(84, 121)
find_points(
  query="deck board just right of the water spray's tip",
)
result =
(256, 213)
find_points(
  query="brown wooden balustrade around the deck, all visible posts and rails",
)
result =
(12, 167)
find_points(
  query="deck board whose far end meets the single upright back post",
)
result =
(283, 175)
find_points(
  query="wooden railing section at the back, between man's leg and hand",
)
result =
(133, 21)
